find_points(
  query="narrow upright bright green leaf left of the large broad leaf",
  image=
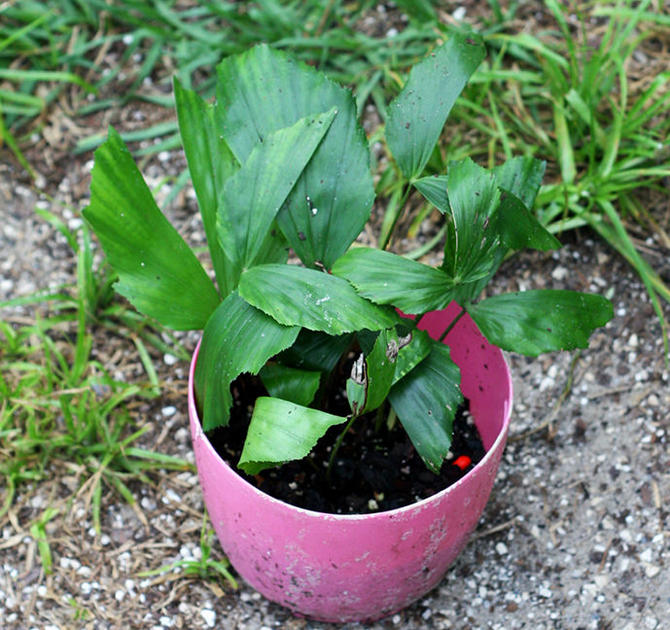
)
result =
(210, 163)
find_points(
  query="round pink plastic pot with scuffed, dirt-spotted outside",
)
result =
(361, 567)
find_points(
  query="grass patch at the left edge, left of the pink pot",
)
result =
(61, 404)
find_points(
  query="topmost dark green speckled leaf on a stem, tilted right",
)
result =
(417, 116)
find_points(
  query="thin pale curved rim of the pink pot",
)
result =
(199, 434)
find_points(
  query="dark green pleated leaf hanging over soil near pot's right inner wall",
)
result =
(426, 401)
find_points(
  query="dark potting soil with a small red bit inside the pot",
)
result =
(374, 470)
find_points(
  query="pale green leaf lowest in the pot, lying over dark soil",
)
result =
(281, 431)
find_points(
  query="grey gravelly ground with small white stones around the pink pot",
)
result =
(575, 535)
